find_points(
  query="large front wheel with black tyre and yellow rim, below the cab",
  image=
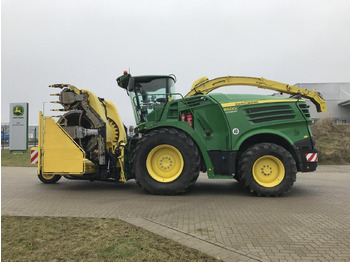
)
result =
(187, 172)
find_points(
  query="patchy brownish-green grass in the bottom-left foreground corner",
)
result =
(87, 239)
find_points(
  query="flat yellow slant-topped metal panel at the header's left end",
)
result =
(61, 154)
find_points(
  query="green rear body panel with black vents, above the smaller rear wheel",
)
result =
(257, 114)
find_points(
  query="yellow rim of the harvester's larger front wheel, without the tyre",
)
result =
(164, 163)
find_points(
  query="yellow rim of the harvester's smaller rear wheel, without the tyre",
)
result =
(268, 171)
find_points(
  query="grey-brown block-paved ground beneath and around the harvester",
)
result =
(311, 223)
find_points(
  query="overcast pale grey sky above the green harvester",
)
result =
(89, 43)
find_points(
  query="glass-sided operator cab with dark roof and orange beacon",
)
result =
(147, 92)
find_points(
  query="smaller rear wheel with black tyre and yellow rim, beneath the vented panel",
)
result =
(267, 180)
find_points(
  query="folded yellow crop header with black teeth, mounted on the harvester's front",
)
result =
(79, 142)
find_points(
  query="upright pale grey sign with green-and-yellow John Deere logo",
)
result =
(18, 126)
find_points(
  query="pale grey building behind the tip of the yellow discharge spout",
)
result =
(337, 96)
